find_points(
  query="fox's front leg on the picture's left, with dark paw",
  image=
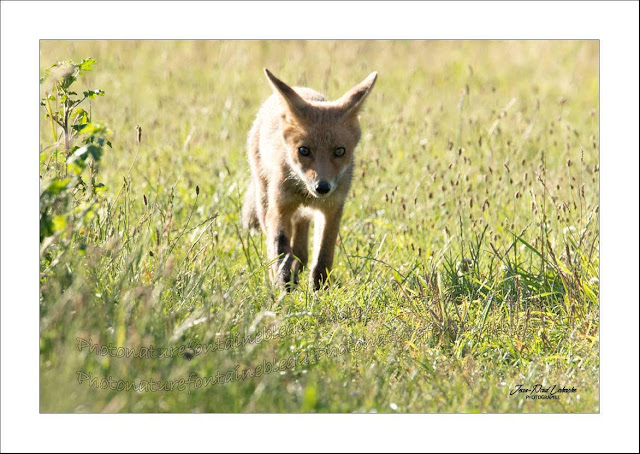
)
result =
(279, 230)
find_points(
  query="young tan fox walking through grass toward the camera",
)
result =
(301, 155)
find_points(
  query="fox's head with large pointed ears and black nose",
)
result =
(319, 135)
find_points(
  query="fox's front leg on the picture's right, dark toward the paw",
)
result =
(326, 227)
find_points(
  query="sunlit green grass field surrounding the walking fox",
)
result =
(468, 254)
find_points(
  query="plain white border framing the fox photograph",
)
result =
(615, 24)
